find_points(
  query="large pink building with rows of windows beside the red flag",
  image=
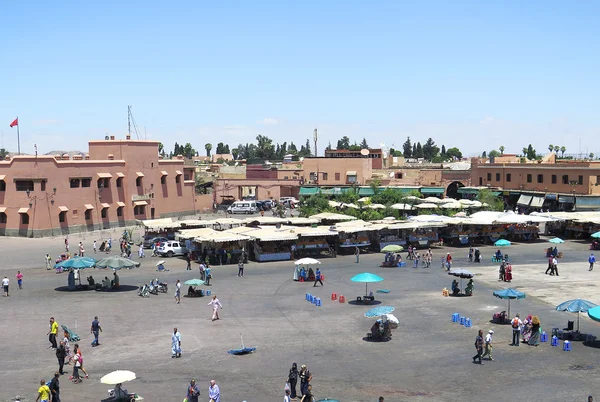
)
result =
(118, 182)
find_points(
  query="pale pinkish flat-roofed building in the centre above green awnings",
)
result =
(327, 168)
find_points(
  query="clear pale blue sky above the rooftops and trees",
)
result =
(470, 74)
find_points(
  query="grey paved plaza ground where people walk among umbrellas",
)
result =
(428, 358)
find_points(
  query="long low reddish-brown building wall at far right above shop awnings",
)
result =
(519, 178)
